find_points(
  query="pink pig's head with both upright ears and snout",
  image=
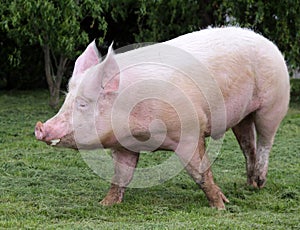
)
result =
(83, 122)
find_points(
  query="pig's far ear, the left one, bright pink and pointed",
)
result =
(87, 59)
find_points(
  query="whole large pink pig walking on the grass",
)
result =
(171, 96)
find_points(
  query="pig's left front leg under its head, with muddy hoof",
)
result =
(125, 163)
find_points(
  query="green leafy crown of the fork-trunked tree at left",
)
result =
(56, 24)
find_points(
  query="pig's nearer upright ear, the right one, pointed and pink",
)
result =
(110, 78)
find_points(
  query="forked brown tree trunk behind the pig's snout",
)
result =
(54, 80)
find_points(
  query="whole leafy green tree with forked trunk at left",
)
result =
(56, 25)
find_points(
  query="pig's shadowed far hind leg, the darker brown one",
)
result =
(246, 135)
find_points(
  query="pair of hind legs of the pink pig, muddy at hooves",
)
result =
(261, 125)
